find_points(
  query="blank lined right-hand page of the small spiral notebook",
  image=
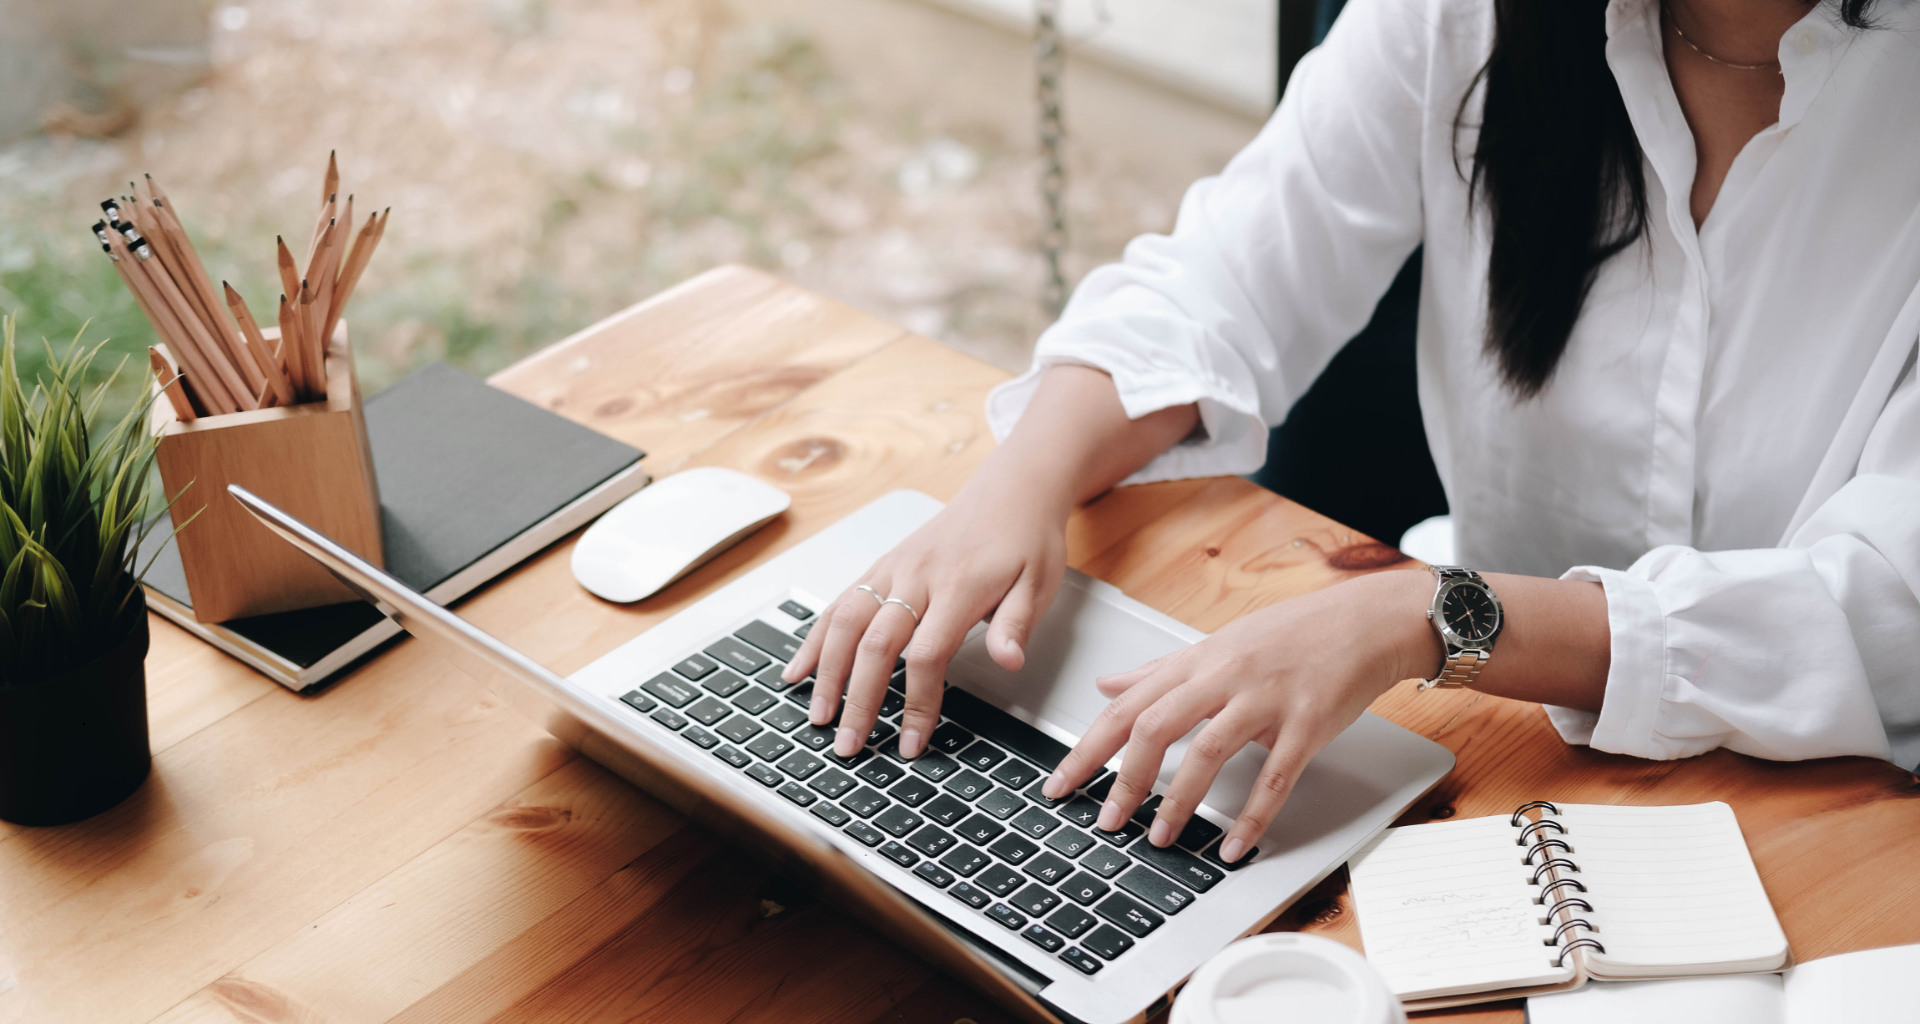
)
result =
(1673, 890)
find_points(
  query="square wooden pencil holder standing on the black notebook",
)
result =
(310, 460)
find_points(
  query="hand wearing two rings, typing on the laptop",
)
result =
(997, 549)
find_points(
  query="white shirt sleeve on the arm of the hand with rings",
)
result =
(1272, 266)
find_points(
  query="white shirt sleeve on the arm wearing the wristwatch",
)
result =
(1808, 650)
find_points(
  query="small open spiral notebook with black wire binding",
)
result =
(1554, 896)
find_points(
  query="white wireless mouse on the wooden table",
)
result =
(671, 529)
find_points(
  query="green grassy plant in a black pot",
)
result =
(72, 614)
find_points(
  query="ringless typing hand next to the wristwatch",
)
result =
(1287, 677)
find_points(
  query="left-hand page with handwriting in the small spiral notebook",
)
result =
(1447, 910)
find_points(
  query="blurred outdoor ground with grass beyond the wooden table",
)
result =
(550, 162)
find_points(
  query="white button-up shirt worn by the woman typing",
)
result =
(1733, 439)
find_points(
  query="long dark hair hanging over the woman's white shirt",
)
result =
(1560, 172)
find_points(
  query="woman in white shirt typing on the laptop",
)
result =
(1668, 374)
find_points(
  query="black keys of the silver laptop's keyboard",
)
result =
(967, 817)
